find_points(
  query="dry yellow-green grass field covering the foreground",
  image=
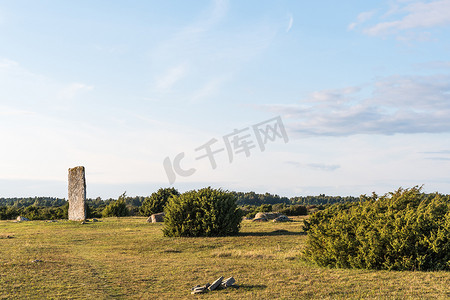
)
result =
(129, 258)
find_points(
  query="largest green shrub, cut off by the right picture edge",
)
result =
(403, 230)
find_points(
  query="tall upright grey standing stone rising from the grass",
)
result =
(77, 194)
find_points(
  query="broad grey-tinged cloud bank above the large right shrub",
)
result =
(398, 104)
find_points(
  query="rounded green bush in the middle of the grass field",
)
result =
(206, 212)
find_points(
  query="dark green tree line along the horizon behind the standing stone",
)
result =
(45, 208)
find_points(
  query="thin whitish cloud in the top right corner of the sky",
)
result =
(404, 16)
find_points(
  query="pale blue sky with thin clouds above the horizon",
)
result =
(293, 98)
